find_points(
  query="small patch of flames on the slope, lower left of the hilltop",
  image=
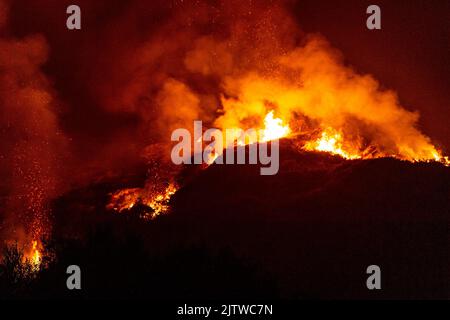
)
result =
(125, 199)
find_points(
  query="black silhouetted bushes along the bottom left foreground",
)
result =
(125, 268)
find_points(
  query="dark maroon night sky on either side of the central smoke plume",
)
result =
(411, 54)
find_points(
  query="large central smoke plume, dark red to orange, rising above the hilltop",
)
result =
(231, 62)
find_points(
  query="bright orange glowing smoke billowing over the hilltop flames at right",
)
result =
(317, 96)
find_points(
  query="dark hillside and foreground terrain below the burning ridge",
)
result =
(308, 232)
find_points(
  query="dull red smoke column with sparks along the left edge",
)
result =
(32, 144)
